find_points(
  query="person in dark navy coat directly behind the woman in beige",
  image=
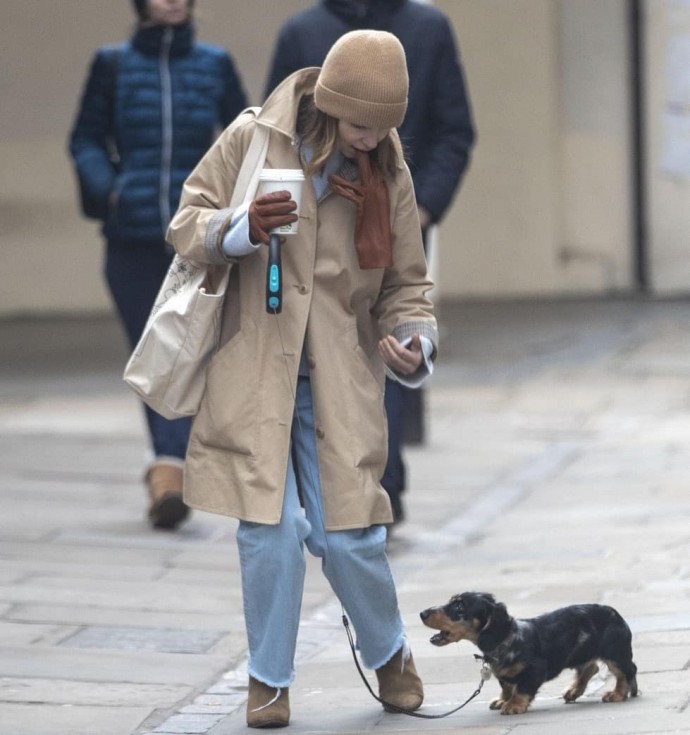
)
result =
(437, 135)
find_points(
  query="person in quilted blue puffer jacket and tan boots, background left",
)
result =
(150, 109)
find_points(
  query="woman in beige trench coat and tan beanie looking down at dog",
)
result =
(291, 433)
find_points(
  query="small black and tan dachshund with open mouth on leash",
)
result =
(524, 653)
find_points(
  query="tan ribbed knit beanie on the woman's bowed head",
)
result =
(364, 80)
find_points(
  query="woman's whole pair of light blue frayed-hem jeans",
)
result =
(273, 568)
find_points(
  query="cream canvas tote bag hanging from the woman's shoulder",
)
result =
(168, 366)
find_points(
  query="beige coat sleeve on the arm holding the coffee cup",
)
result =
(204, 215)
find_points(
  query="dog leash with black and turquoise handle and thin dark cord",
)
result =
(274, 306)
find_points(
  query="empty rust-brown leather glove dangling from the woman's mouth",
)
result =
(372, 223)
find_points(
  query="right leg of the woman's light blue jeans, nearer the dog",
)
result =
(353, 561)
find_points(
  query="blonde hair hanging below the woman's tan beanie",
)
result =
(319, 132)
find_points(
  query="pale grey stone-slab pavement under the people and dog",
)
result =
(555, 471)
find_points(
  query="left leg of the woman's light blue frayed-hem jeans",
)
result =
(273, 566)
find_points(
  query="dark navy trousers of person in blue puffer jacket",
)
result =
(134, 275)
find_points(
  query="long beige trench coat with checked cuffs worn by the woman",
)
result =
(238, 451)
